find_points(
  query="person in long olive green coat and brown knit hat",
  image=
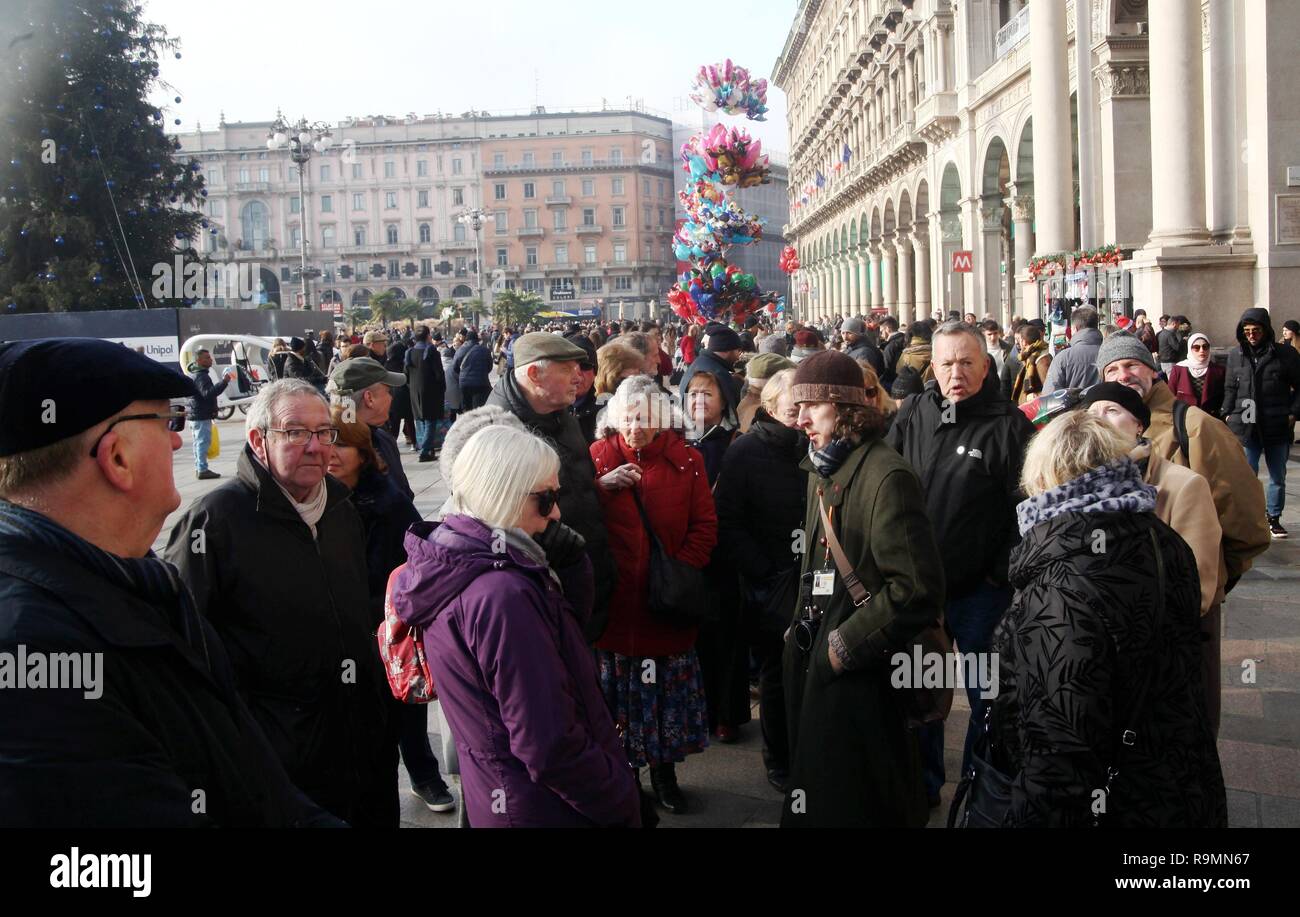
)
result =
(855, 762)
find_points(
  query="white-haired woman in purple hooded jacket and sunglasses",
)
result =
(515, 680)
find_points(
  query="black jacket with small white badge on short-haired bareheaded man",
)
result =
(969, 465)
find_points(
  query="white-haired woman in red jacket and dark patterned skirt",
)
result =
(652, 487)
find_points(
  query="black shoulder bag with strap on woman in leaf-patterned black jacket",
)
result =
(987, 791)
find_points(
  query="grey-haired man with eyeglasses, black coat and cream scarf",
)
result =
(276, 560)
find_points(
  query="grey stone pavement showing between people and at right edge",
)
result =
(1259, 741)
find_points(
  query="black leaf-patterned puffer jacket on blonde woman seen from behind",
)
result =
(1076, 648)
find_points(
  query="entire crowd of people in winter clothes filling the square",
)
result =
(647, 526)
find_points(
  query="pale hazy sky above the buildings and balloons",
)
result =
(331, 59)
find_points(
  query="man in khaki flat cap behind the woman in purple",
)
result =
(540, 391)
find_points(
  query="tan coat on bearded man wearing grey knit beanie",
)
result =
(1217, 457)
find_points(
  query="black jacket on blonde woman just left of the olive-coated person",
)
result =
(761, 499)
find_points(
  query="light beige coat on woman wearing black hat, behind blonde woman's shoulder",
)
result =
(1185, 503)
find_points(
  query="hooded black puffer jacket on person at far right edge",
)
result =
(1269, 379)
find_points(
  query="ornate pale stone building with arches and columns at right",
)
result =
(956, 129)
